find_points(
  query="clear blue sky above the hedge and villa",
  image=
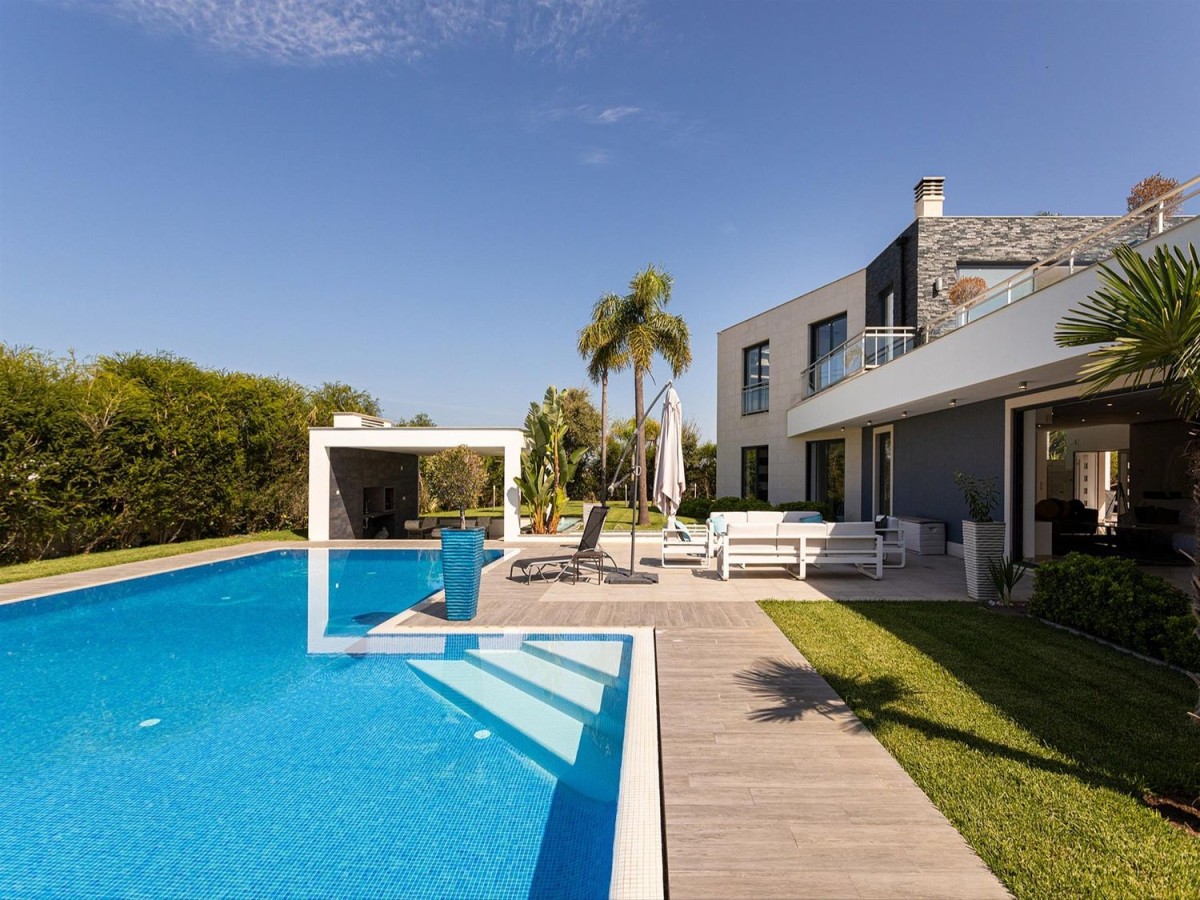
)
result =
(425, 199)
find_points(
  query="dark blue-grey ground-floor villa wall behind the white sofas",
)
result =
(929, 449)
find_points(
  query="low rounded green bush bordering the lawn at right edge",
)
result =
(1114, 599)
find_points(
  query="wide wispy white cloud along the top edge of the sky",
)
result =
(313, 32)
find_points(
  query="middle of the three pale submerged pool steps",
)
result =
(578, 695)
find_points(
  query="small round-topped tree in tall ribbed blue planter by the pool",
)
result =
(458, 477)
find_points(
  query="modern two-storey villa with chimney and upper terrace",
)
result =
(872, 392)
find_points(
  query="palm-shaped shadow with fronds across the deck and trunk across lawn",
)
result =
(799, 692)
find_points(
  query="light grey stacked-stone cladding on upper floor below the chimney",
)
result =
(944, 242)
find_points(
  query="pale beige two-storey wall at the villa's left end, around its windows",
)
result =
(787, 327)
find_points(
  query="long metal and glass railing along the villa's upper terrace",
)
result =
(877, 347)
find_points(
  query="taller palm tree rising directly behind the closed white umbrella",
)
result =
(638, 327)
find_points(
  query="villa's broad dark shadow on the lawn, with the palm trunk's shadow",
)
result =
(1123, 722)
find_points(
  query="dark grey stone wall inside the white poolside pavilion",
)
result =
(351, 471)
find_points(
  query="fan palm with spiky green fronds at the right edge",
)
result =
(1148, 321)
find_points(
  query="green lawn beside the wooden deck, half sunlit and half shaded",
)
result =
(1039, 746)
